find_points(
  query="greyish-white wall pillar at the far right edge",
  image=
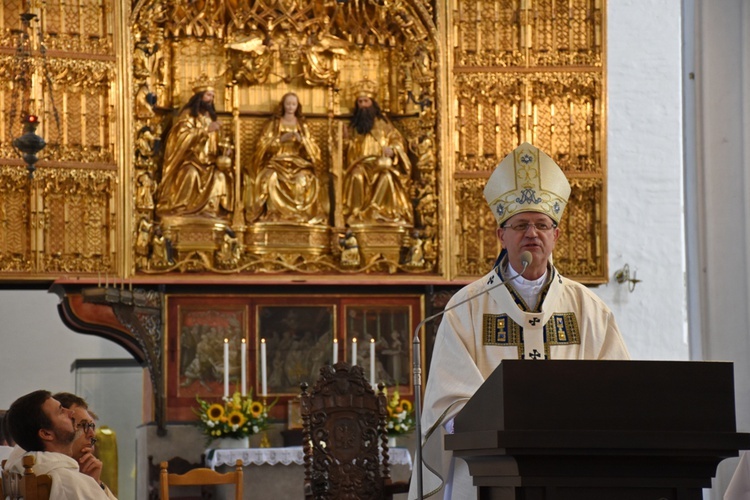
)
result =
(722, 87)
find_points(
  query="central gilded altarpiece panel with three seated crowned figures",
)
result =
(318, 209)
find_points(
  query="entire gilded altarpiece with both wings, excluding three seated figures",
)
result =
(463, 82)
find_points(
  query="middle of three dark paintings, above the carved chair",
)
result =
(299, 342)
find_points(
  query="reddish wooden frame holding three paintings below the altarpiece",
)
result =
(296, 327)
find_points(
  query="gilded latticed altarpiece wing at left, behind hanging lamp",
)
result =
(63, 219)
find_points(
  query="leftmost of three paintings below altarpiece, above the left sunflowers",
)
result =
(202, 330)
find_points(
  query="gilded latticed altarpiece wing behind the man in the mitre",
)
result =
(528, 71)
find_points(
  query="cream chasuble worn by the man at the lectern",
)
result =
(475, 337)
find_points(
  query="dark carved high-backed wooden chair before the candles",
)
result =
(344, 438)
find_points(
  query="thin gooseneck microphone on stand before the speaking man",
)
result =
(526, 259)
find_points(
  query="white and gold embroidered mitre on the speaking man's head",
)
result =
(527, 180)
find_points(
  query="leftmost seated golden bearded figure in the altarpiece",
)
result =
(196, 178)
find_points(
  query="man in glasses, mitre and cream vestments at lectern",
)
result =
(537, 314)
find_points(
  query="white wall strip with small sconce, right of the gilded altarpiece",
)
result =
(645, 207)
